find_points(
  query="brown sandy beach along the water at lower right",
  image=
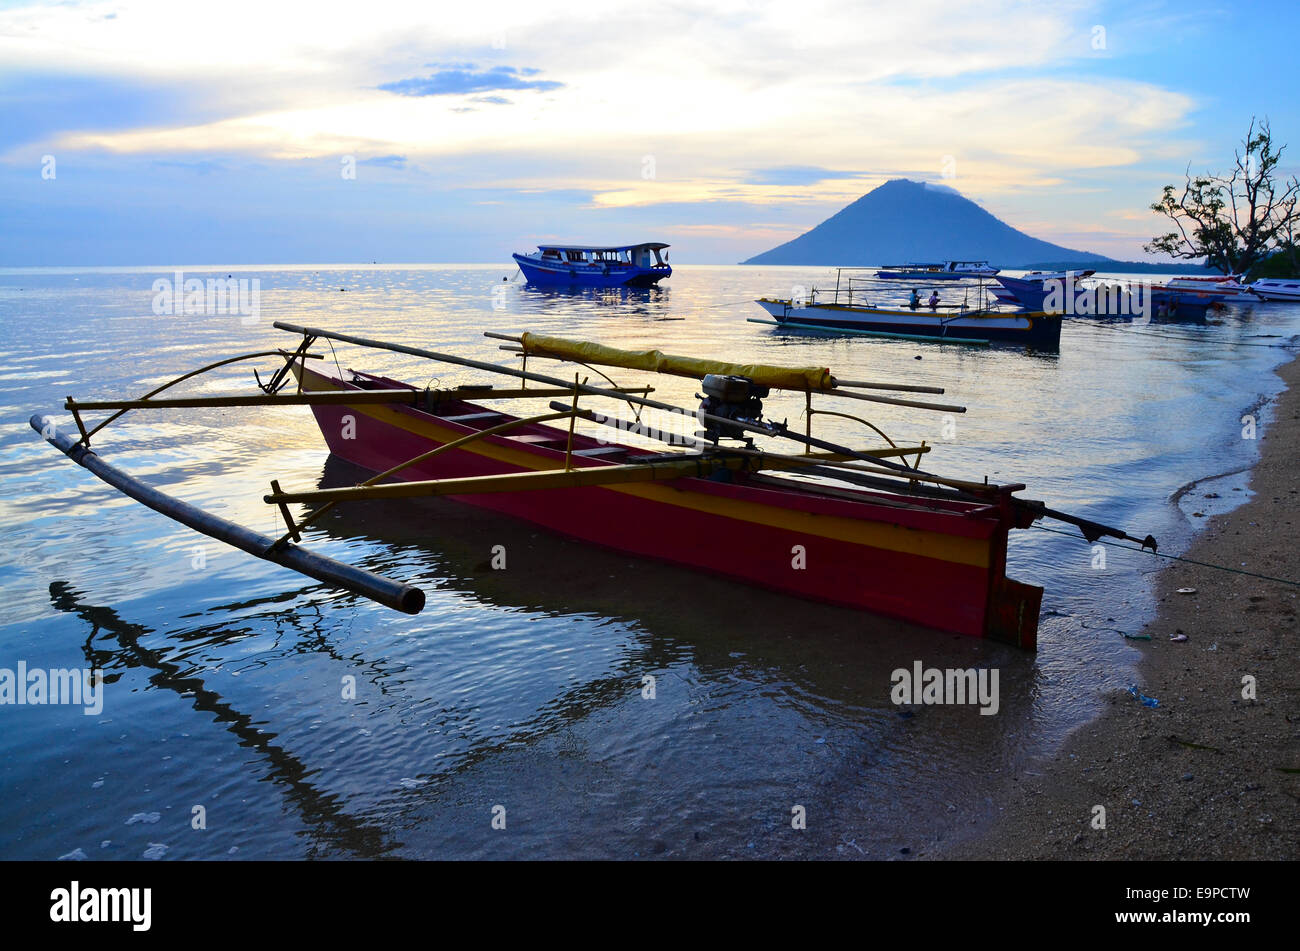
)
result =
(1204, 775)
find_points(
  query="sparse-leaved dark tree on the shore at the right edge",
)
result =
(1233, 222)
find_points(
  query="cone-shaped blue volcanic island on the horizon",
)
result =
(904, 222)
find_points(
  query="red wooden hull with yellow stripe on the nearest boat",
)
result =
(941, 566)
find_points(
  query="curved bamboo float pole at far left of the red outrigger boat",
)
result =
(387, 592)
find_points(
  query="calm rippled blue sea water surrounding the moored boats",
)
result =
(523, 689)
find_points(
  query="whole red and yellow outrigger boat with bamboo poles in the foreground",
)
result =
(876, 532)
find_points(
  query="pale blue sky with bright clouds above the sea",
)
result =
(177, 132)
